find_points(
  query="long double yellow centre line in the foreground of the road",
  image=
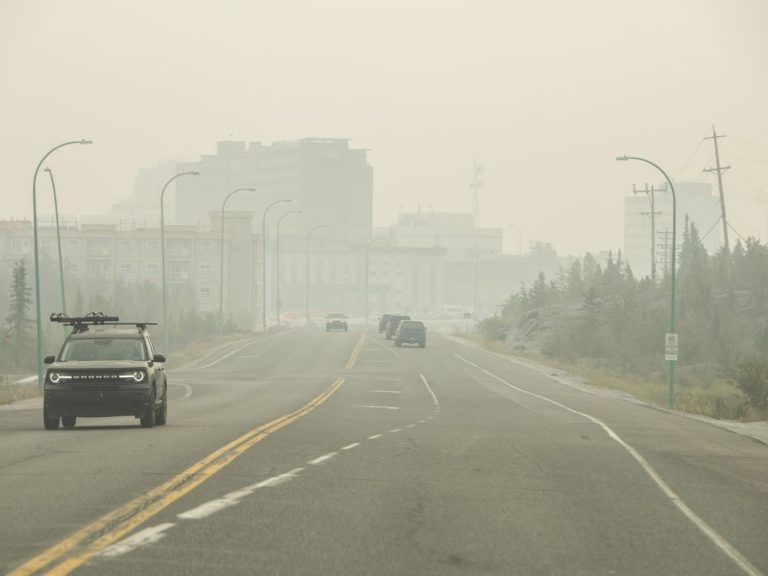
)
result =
(118, 523)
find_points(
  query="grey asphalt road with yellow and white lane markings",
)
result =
(317, 453)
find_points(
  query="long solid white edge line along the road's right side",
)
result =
(725, 546)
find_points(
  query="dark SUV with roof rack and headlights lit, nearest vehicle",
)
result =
(105, 368)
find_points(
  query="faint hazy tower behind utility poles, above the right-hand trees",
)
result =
(695, 202)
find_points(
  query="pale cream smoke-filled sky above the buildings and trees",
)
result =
(544, 93)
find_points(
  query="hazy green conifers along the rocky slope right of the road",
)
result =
(602, 313)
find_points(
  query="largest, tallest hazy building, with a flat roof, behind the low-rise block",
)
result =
(331, 183)
